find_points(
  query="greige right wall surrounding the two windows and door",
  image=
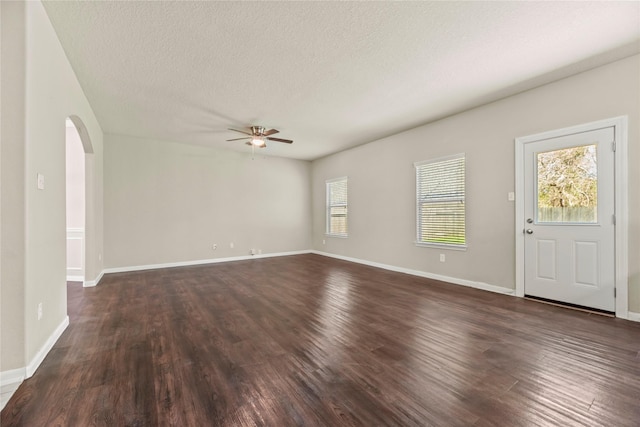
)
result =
(382, 178)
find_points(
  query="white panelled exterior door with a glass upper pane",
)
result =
(569, 223)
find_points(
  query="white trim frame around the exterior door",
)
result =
(621, 181)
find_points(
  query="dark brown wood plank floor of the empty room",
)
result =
(309, 340)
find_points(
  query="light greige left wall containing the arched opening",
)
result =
(39, 91)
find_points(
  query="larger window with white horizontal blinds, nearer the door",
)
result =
(441, 202)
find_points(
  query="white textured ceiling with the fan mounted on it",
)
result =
(329, 75)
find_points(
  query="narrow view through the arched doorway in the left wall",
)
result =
(75, 202)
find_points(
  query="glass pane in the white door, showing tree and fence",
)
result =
(568, 185)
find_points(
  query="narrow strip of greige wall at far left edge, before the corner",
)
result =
(12, 209)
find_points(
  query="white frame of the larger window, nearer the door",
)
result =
(420, 201)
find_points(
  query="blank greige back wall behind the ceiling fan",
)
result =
(168, 203)
